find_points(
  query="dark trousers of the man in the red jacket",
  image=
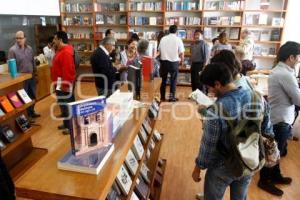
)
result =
(63, 98)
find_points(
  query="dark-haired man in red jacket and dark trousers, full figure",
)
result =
(63, 75)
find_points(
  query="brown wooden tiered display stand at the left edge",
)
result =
(20, 154)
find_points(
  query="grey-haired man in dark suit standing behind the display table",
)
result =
(103, 68)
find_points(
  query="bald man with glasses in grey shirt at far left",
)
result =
(25, 64)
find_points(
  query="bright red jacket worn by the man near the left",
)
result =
(63, 66)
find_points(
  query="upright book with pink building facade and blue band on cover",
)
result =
(91, 125)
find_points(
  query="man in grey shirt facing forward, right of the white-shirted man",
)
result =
(199, 58)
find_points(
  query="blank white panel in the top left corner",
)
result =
(30, 7)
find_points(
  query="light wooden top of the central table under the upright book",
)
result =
(45, 181)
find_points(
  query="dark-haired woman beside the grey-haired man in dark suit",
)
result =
(128, 57)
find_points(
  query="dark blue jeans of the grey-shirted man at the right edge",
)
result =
(282, 132)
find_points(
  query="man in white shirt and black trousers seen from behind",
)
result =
(171, 51)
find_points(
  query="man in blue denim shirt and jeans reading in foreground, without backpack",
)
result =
(218, 78)
